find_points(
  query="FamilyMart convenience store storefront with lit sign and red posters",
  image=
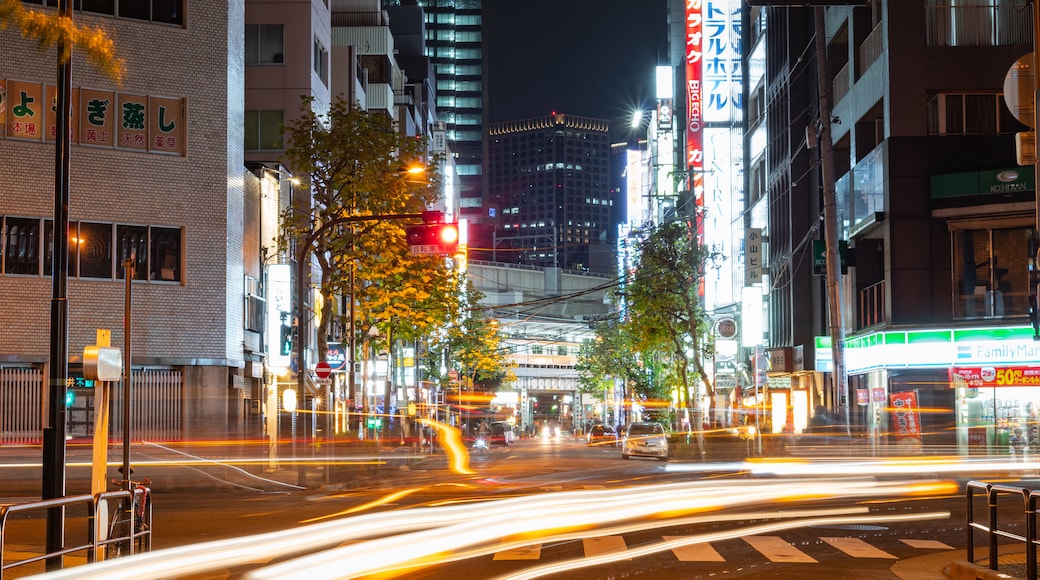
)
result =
(969, 388)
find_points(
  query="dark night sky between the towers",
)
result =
(586, 58)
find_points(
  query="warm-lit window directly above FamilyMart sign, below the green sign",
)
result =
(991, 274)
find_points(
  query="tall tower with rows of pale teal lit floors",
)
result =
(455, 45)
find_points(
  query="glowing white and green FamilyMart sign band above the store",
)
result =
(931, 349)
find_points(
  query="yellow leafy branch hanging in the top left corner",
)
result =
(53, 30)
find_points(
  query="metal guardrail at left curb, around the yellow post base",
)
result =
(138, 533)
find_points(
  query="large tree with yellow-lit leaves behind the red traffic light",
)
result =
(353, 164)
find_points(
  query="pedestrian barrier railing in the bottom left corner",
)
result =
(94, 520)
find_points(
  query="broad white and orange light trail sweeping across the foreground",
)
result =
(375, 541)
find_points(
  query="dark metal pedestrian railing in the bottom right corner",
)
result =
(995, 530)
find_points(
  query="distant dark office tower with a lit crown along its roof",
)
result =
(551, 178)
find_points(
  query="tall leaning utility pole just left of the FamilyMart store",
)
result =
(841, 379)
